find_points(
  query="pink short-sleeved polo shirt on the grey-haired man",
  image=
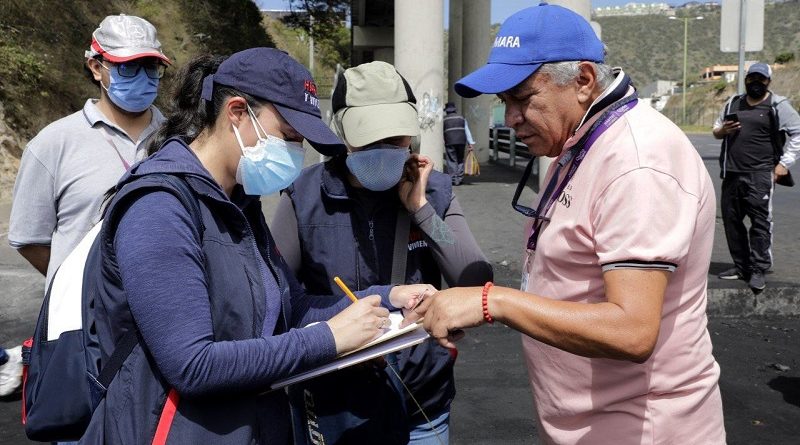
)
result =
(642, 198)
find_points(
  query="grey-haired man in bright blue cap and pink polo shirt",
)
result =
(613, 295)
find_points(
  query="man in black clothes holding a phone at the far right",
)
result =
(755, 155)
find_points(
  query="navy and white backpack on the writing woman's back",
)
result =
(63, 377)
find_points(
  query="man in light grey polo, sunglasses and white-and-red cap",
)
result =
(67, 168)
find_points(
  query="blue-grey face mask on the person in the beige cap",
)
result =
(378, 168)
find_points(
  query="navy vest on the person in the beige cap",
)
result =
(340, 236)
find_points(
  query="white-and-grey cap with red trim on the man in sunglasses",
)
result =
(121, 38)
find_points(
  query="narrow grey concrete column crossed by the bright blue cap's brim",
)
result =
(476, 40)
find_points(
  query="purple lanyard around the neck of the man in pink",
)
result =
(551, 196)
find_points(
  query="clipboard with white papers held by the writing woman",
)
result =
(393, 339)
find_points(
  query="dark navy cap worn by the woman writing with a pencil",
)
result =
(272, 75)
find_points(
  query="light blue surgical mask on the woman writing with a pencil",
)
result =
(271, 165)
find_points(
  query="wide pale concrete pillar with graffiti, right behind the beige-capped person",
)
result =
(419, 54)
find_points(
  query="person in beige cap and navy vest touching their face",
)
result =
(340, 218)
